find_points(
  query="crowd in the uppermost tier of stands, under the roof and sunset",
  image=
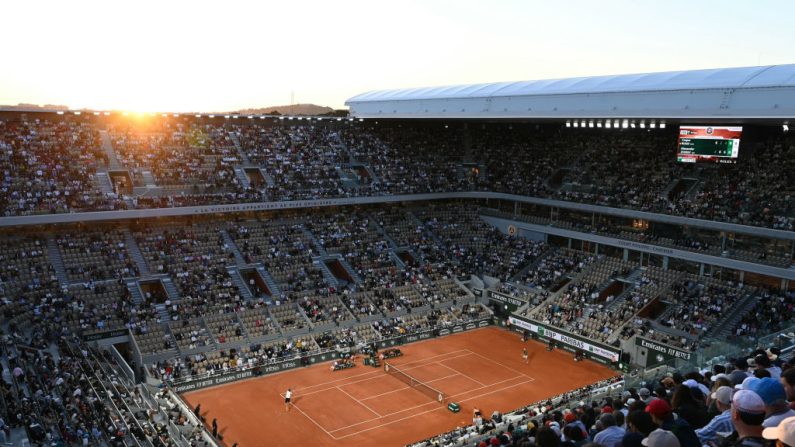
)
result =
(56, 162)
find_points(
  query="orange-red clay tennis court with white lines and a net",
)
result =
(365, 406)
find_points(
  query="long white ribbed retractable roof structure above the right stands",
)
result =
(725, 93)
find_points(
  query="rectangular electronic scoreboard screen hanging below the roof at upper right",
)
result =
(710, 144)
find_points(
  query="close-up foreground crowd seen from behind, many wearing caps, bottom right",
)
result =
(745, 402)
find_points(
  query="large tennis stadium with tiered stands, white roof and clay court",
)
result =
(166, 278)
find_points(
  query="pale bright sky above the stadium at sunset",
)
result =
(212, 56)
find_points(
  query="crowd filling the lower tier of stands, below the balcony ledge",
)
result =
(208, 326)
